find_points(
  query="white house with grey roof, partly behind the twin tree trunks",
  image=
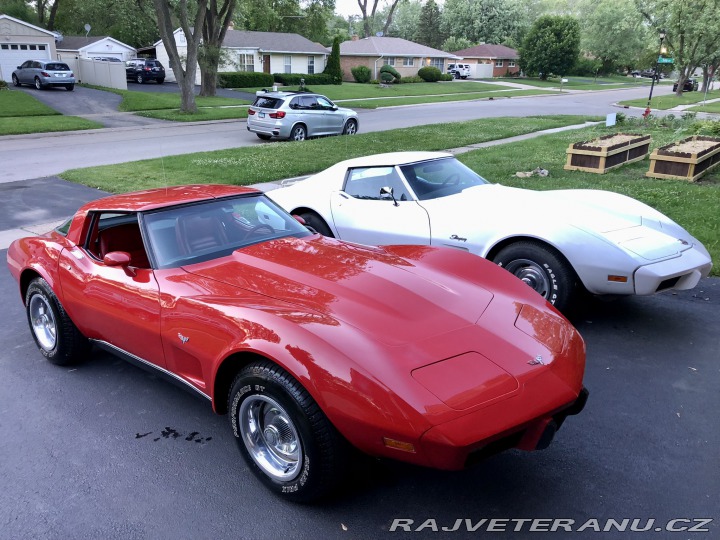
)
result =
(268, 52)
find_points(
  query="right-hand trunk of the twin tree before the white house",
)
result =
(215, 24)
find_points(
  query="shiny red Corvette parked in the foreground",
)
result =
(310, 344)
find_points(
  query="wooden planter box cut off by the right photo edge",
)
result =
(688, 159)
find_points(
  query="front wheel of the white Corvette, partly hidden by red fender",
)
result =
(540, 267)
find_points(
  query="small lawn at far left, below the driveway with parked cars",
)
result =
(21, 113)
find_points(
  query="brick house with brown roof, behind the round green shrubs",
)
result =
(403, 55)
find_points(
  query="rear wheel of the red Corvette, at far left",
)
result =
(56, 336)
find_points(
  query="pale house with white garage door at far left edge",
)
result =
(20, 41)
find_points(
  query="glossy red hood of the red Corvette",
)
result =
(388, 297)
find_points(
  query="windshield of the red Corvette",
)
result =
(209, 230)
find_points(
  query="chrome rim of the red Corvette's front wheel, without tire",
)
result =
(270, 437)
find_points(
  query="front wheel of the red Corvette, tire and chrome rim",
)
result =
(284, 437)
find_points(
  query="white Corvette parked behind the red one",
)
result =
(555, 241)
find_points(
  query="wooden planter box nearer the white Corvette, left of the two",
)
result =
(605, 153)
